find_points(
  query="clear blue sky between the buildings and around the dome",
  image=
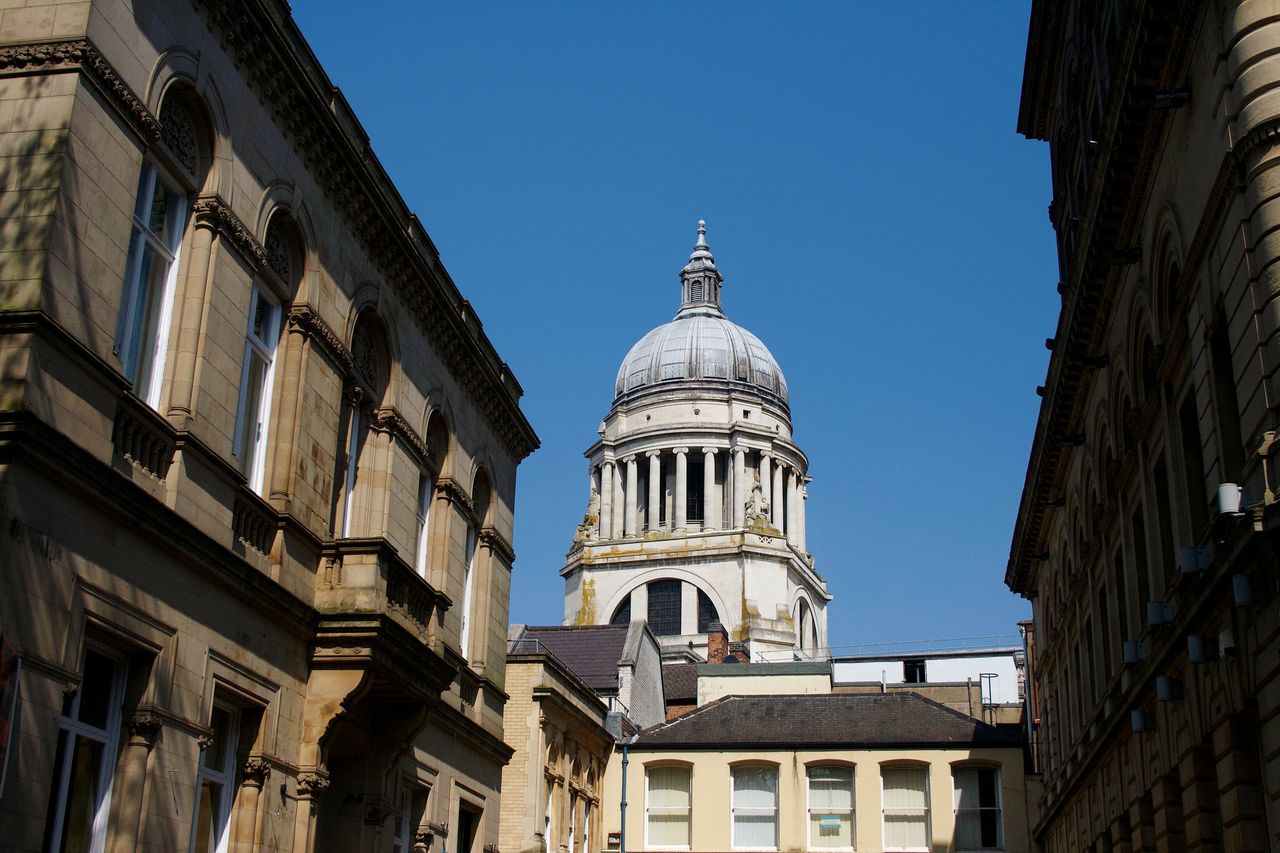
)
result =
(880, 225)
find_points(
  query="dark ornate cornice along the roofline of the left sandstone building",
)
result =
(309, 110)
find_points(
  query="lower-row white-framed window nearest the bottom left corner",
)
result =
(70, 731)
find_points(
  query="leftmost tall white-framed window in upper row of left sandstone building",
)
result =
(143, 355)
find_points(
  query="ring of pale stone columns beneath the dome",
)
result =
(723, 495)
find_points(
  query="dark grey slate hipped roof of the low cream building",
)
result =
(874, 720)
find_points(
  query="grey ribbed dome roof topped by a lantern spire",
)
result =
(701, 344)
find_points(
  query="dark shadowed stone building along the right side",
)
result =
(1153, 573)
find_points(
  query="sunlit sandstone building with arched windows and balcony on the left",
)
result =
(258, 464)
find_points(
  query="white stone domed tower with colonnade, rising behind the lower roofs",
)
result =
(697, 492)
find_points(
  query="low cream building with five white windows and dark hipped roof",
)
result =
(821, 773)
